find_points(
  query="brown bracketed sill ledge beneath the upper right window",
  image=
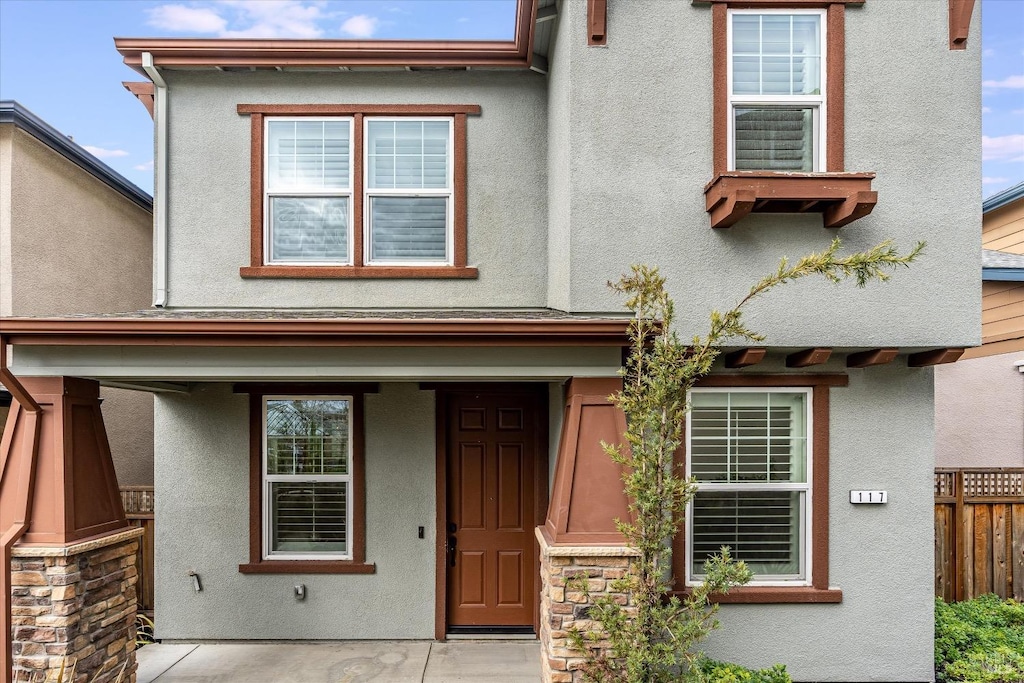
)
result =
(840, 198)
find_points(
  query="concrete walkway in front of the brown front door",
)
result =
(345, 662)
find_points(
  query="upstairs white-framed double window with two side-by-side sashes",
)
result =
(312, 204)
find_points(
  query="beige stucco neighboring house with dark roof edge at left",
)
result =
(76, 238)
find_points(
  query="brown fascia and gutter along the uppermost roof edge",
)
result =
(200, 53)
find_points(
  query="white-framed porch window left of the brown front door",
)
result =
(308, 478)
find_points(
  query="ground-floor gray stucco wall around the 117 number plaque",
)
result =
(880, 557)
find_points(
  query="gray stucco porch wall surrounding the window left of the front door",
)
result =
(202, 480)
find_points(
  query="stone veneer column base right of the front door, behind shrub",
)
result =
(563, 609)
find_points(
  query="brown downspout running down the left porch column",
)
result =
(27, 483)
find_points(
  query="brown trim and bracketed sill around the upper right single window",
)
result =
(842, 198)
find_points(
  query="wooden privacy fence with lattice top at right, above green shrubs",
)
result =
(979, 533)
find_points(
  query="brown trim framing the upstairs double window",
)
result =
(259, 269)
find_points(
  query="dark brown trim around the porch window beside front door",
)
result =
(257, 564)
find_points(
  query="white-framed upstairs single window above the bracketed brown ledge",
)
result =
(777, 90)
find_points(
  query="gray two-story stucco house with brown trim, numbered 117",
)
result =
(385, 344)
